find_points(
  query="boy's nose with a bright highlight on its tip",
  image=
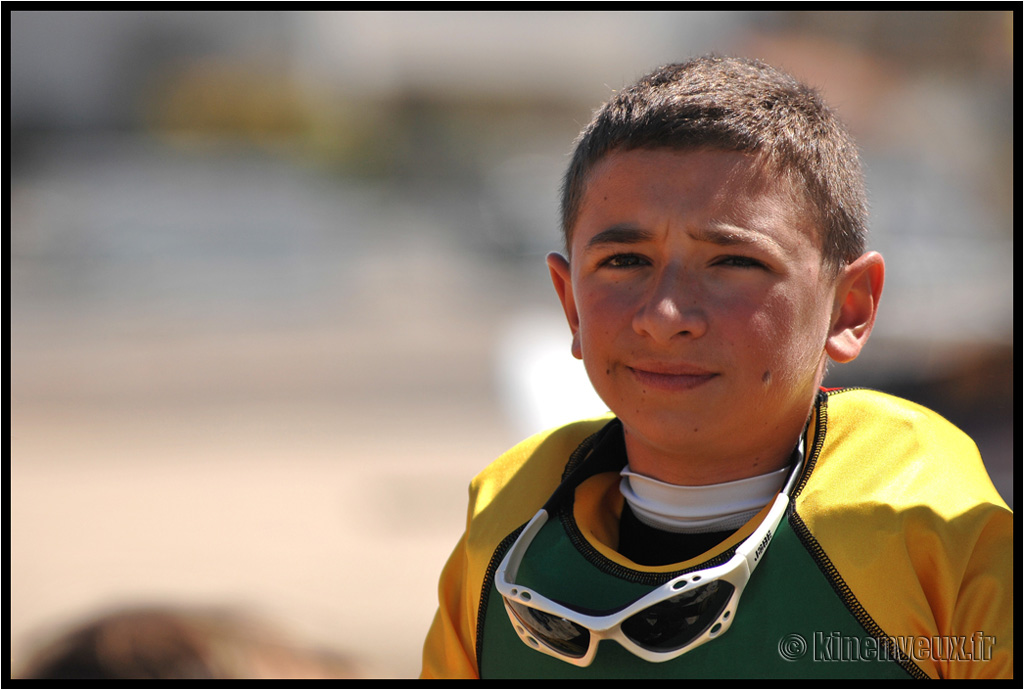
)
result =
(673, 307)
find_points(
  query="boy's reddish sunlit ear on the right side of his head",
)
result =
(859, 290)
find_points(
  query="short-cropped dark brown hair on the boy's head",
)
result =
(741, 105)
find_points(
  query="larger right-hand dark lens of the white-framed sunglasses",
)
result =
(673, 624)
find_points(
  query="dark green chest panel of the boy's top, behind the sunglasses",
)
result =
(790, 622)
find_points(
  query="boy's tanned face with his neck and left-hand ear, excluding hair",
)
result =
(701, 308)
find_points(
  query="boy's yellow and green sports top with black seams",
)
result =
(895, 560)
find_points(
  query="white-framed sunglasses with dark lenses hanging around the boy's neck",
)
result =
(679, 616)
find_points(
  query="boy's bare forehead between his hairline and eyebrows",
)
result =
(647, 187)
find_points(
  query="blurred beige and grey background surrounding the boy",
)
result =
(278, 291)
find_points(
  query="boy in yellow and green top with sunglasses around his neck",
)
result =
(733, 520)
